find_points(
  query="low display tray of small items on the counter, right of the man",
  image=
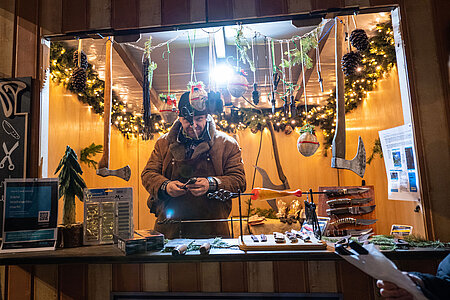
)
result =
(247, 244)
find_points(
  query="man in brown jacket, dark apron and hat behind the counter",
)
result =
(193, 148)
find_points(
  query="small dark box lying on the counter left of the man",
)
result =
(141, 242)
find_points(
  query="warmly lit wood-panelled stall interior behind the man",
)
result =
(278, 120)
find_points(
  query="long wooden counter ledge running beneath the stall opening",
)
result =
(110, 254)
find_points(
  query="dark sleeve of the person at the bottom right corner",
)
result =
(437, 287)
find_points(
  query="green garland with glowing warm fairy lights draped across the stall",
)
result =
(376, 63)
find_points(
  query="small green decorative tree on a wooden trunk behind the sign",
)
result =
(70, 184)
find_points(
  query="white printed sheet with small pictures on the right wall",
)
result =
(400, 161)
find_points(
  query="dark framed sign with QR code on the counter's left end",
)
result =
(30, 215)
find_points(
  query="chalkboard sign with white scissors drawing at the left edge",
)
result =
(15, 99)
